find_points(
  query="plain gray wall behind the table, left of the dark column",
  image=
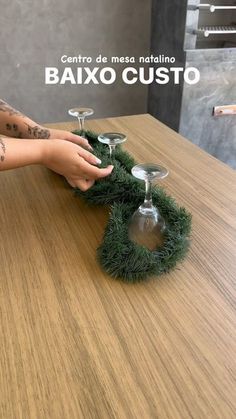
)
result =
(35, 34)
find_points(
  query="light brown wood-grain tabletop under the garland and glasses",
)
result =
(76, 343)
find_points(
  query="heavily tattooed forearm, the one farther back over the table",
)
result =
(15, 124)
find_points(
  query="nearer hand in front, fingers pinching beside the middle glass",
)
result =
(74, 162)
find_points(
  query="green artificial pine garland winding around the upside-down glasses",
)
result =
(118, 255)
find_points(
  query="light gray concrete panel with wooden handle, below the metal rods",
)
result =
(216, 135)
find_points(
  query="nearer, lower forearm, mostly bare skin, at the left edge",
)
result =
(18, 153)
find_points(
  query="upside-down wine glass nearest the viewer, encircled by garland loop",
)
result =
(147, 226)
